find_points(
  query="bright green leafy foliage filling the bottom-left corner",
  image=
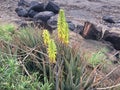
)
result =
(12, 76)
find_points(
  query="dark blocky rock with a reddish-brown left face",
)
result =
(90, 31)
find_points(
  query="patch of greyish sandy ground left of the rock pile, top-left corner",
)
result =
(7, 10)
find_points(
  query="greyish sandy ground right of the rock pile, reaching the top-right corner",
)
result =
(92, 10)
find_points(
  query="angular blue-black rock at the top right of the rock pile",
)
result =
(51, 6)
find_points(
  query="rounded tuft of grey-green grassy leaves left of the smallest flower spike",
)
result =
(28, 37)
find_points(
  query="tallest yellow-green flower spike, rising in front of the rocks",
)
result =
(63, 30)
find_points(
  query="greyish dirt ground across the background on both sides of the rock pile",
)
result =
(82, 10)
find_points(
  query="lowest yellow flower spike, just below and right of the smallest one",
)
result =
(52, 51)
